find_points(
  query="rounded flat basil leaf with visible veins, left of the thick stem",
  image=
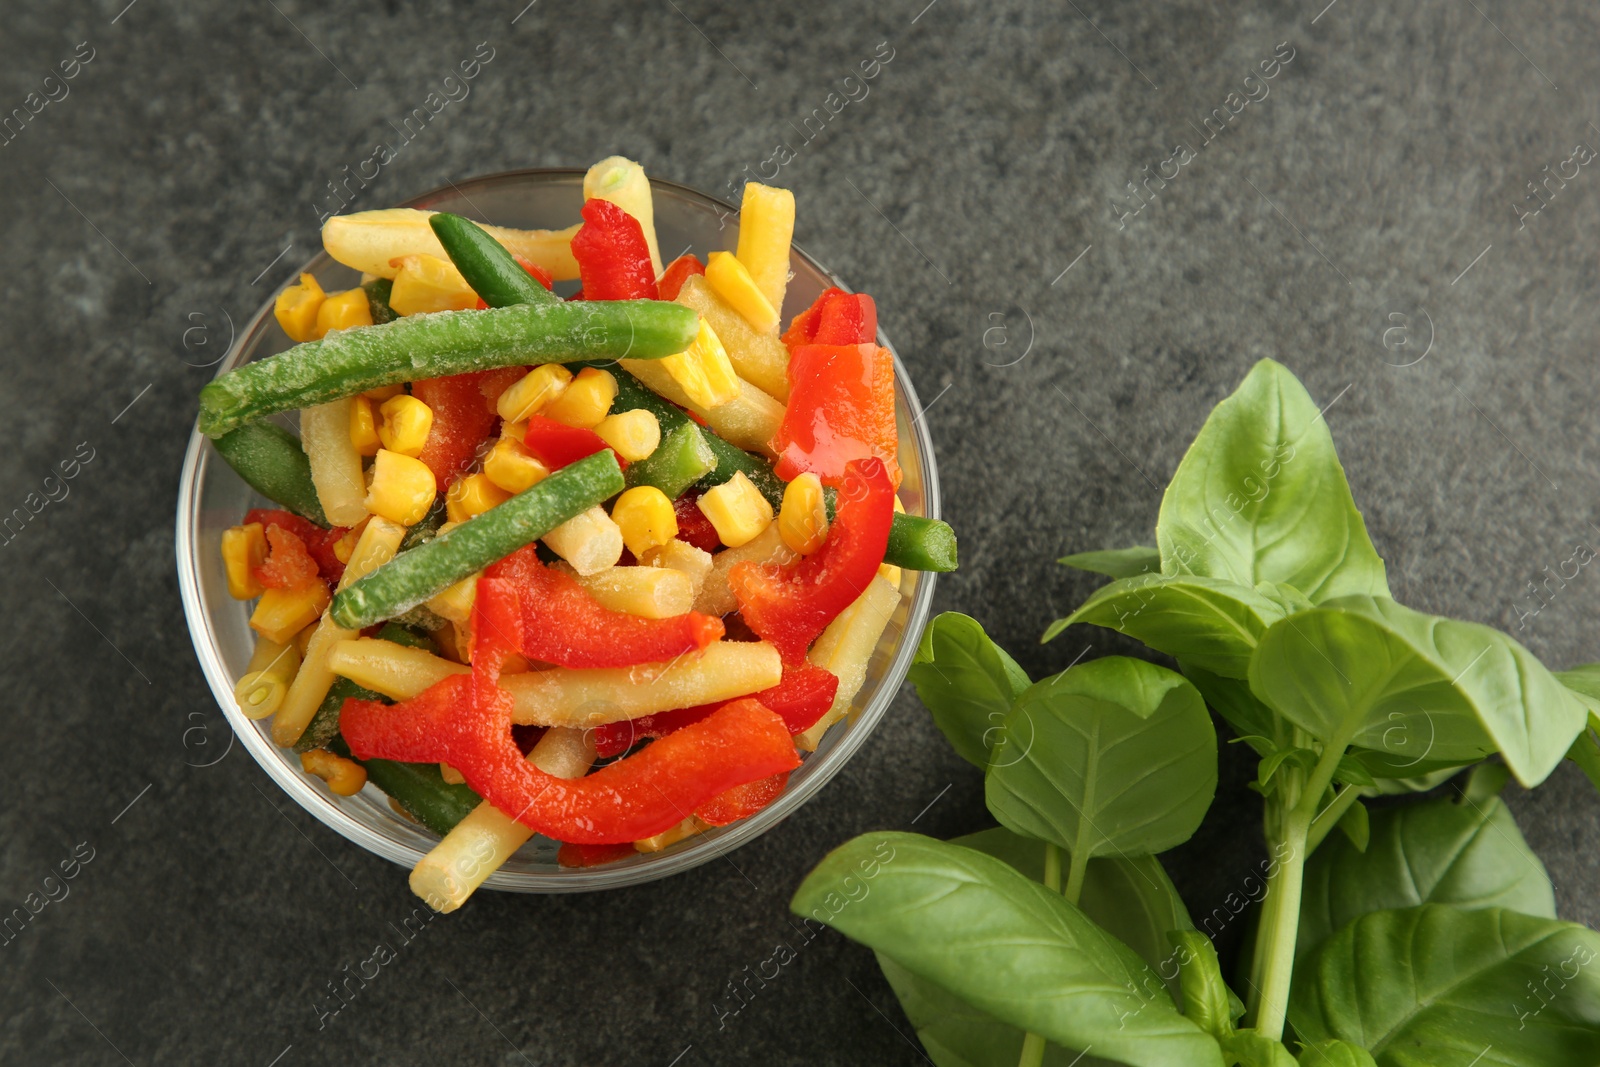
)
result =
(1113, 756)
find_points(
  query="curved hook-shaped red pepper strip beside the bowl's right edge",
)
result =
(791, 607)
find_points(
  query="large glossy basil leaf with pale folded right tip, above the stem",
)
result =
(1377, 674)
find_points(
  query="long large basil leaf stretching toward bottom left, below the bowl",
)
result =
(1007, 946)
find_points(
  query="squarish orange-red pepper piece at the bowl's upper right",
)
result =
(841, 409)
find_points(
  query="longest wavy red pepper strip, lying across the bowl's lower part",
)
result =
(455, 722)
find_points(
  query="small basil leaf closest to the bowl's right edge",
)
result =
(967, 684)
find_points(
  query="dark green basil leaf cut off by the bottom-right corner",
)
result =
(1438, 986)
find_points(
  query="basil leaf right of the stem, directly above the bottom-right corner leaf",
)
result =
(1428, 852)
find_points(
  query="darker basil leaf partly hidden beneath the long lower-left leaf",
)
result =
(959, 1036)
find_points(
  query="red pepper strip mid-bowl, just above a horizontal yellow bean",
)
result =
(562, 625)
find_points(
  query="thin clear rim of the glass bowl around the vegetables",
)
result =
(838, 748)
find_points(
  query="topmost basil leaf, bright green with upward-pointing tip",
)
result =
(1260, 497)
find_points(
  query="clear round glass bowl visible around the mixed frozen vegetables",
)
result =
(212, 498)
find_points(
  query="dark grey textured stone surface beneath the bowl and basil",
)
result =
(1380, 177)
